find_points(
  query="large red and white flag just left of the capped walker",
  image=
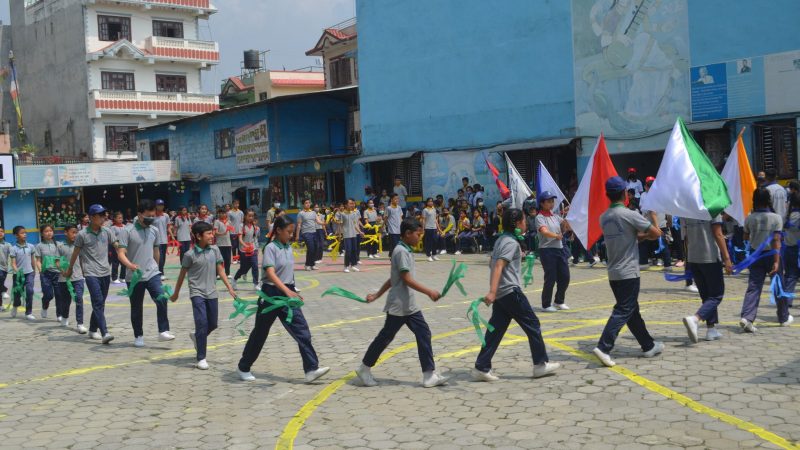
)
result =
(591, 201)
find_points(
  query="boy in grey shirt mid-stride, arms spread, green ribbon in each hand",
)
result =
(402, 309)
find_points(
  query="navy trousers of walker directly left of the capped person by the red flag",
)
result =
(512, 306)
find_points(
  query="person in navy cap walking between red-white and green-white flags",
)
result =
(622, 229)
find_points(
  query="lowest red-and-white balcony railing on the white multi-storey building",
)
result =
(152, 103)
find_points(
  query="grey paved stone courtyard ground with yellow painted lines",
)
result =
(59, 389)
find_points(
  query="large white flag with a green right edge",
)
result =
(687, 185)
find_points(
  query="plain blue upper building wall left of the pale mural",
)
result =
(463, 73)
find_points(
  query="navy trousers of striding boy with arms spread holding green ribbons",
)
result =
(416, 323)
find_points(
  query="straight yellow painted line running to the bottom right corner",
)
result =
(683, 400)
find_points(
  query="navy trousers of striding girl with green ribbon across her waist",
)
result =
(298, 329)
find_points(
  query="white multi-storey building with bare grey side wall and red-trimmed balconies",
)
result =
(91, 71)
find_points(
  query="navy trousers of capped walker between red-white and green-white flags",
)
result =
(626, 312)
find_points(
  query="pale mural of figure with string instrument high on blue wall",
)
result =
(631, 65)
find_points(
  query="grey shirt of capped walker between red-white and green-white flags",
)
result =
(620, 227)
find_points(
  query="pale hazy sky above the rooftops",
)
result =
(287, 28)
